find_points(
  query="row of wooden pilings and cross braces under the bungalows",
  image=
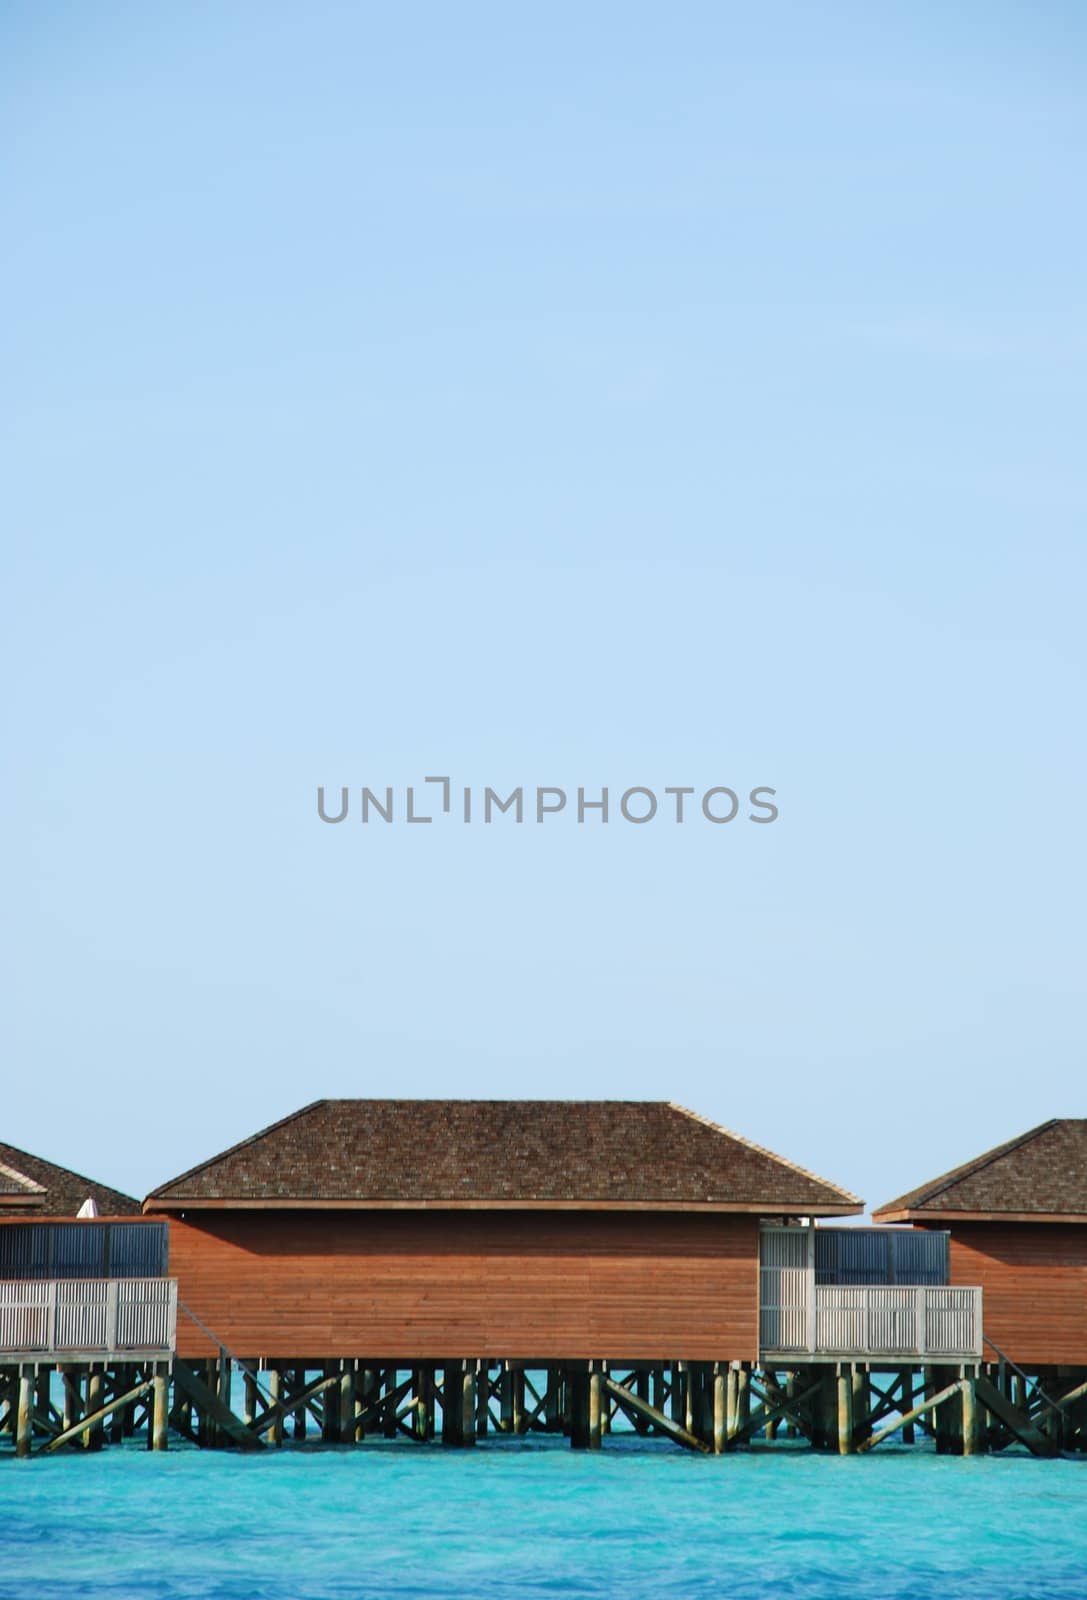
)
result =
(707, 1407)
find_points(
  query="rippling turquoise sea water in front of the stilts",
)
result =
(529, 1519)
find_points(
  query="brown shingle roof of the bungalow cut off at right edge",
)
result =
(1041, 1174)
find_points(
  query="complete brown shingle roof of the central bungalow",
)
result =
(502, 1154)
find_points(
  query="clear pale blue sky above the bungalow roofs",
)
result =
(545, 396)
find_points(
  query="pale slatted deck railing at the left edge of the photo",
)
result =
(71, 1318)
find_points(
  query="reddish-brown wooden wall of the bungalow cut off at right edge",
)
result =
(1035, 1282)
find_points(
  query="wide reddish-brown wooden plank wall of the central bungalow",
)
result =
(470, 1284)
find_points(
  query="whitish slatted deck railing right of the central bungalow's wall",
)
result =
(872, 1322)
